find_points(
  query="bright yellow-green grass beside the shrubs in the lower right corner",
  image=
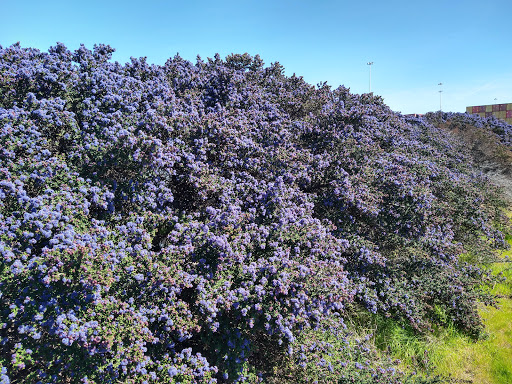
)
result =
(452, 355)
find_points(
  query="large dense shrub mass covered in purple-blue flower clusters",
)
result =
(221, 222)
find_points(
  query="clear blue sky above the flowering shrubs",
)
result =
(414, 45)
